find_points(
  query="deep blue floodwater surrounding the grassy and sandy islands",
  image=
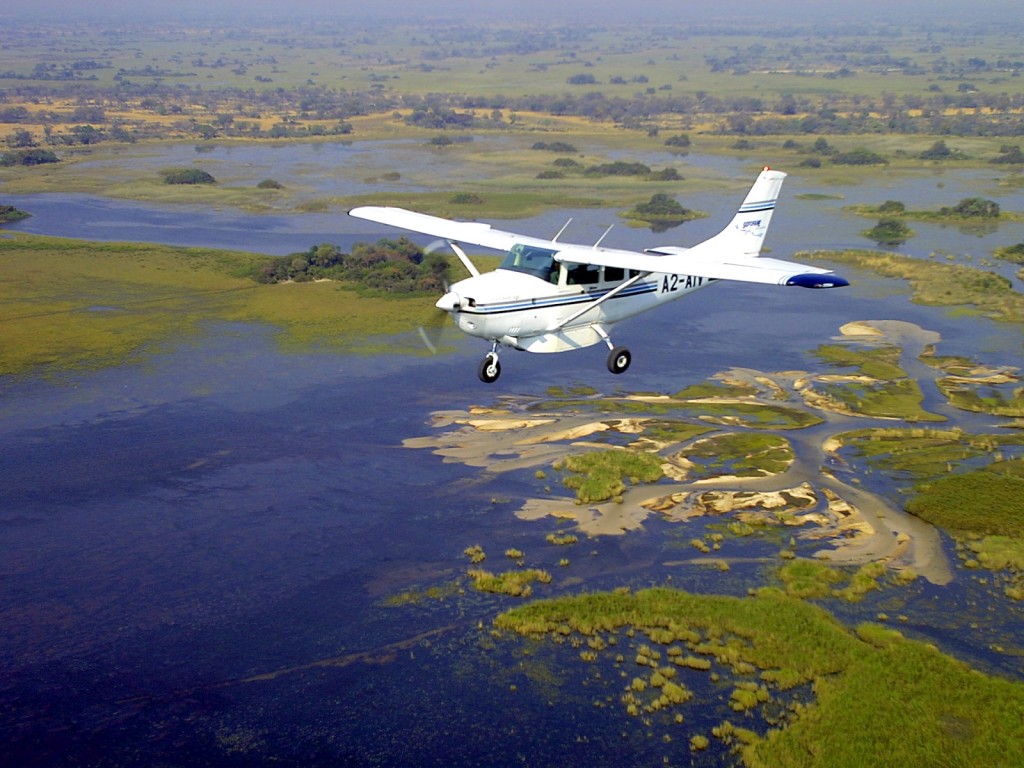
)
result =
(199, 549)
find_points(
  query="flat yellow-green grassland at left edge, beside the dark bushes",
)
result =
(70, 305)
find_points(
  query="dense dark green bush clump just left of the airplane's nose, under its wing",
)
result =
(388, 266)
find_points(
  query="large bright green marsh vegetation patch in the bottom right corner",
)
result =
(878, 698)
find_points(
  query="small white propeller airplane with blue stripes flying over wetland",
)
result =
(551, 297)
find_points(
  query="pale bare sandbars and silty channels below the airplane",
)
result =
(854, 525)
